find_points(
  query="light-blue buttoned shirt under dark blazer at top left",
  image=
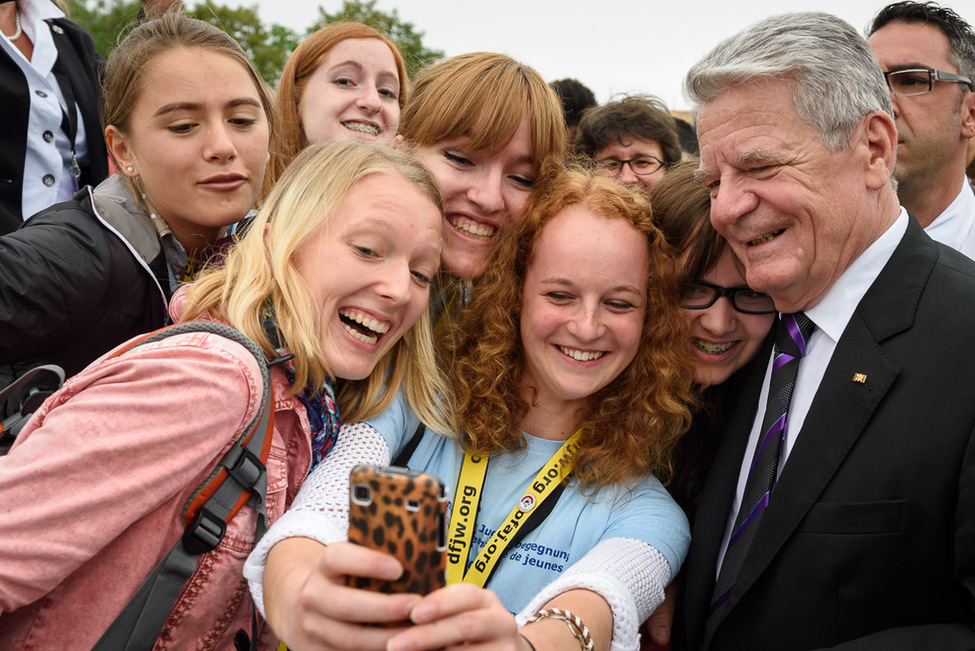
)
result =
(47, 166)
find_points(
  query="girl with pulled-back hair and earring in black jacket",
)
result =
(187, 120)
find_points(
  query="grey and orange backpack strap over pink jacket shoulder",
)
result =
(239, 478)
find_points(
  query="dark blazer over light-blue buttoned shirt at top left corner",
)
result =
(79, 66)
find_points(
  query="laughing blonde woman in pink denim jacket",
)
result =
(335, 271)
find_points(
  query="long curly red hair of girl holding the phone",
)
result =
(634, 423)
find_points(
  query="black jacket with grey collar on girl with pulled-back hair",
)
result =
(74, 282)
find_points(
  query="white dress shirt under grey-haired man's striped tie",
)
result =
(831, 316)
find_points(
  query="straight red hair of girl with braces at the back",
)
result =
(302, 63)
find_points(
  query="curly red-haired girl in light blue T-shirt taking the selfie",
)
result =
(571, 354)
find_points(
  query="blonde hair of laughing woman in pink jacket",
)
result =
(260, 271)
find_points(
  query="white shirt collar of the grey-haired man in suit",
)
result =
(834, 311)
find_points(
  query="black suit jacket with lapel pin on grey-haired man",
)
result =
(869, 539)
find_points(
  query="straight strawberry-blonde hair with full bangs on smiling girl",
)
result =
(484, 97)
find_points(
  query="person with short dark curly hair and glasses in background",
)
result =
(633, 139)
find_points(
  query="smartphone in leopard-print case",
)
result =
(403, 513)
